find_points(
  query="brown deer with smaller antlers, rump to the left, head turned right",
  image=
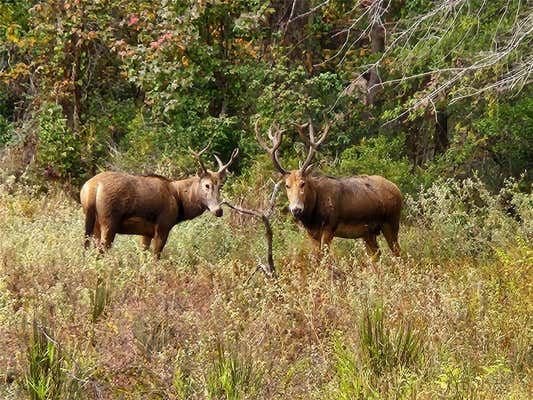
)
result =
(116, 202)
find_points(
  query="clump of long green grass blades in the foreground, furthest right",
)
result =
(383, 364)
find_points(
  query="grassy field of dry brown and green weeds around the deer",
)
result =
(452, 319)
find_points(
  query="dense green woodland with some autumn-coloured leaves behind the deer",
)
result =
(417, 89)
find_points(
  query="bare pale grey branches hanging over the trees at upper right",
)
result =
(437, 24)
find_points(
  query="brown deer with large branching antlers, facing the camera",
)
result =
(354, 207)
